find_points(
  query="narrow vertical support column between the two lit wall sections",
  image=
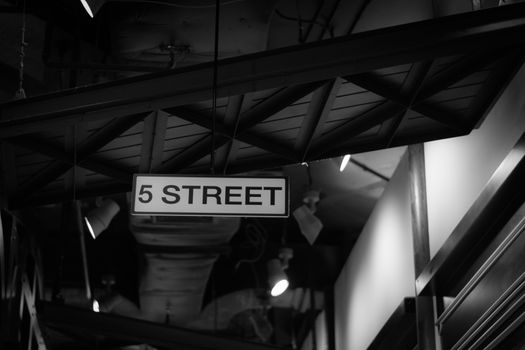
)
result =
(424, 304)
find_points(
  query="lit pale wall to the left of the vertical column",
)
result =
(379, 271)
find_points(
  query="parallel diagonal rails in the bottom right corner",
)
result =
(501, 308)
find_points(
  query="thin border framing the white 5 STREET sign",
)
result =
(287, 197)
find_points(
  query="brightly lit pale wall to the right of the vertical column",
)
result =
(457, 169)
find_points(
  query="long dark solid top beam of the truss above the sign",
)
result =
(459, 34)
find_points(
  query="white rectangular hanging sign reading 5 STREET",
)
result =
(210, 195)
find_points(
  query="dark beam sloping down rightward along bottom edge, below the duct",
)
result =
(137, 331)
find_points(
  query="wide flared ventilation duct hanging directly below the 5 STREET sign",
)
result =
(178, 256)
